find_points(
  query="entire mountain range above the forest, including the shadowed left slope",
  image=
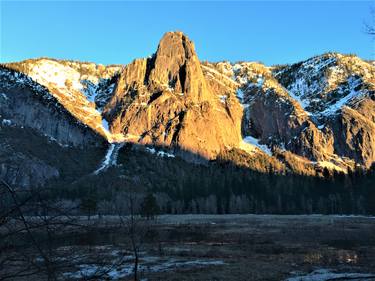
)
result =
(61, 119)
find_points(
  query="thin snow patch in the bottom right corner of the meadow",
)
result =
(327, 275)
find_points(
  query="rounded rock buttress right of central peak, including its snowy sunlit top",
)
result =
(275, 118)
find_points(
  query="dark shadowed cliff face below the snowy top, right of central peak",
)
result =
(276, 119)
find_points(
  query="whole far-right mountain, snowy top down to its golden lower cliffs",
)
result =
(338, 93)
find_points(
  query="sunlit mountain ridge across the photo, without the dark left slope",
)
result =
(173, 100)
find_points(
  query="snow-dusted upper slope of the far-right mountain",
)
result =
(320, 76)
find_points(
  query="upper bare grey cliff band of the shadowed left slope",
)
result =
(30, 105)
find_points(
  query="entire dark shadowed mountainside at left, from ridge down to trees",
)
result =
(34, 129)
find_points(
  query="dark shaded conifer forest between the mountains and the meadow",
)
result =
(218, 187)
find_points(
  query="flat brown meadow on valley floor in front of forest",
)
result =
(230, 247)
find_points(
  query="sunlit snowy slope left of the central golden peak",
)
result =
(82, 88)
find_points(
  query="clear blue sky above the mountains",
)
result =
(120, 31)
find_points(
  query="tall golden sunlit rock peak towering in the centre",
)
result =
(165, 100)
